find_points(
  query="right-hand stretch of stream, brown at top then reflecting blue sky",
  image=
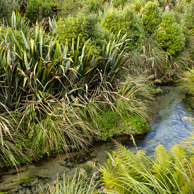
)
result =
(169, 125)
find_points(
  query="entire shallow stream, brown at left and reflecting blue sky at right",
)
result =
(169, 126)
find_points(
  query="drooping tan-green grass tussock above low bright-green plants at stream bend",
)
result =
(135, 93)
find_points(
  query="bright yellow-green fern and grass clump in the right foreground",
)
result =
(167, 172)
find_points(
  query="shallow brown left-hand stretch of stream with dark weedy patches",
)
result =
(32, 178)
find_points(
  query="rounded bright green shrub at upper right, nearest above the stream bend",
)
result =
(170, 35)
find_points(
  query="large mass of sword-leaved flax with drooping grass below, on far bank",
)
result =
(37, 73)
